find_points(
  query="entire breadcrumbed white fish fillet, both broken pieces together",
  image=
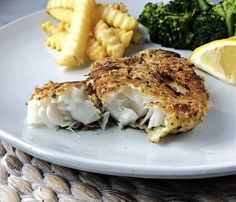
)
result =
(156, 90)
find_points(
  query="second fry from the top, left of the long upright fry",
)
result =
(61, 14)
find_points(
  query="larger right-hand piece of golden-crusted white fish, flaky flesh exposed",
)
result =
(156, 90)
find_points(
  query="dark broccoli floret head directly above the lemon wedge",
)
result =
(208, 26)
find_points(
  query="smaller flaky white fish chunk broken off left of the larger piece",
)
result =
(63, 105)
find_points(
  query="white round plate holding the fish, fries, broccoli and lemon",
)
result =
(208, 150)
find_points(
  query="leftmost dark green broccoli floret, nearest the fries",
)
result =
(169, 24)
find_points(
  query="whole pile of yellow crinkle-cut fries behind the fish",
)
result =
(87, 28)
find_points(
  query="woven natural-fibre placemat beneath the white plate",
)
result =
(29, 179)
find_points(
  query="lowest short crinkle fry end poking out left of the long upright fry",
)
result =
(55, 41)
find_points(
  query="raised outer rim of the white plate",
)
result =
(121, 169)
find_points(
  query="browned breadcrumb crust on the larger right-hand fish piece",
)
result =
(163, 75)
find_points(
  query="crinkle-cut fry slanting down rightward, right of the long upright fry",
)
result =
(108, 38)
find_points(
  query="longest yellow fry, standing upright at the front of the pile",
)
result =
(72, 54)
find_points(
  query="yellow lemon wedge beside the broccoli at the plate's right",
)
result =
(217, 58)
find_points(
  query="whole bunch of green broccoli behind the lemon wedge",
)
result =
(187, 24)
